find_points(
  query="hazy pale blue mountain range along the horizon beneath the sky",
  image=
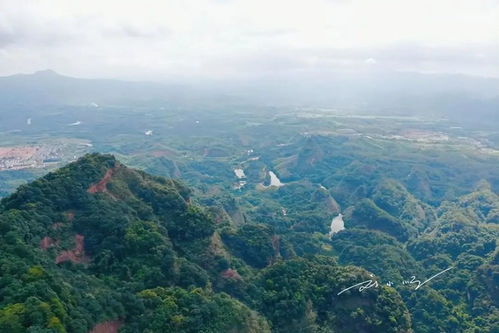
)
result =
(365, 92)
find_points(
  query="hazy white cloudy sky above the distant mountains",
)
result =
(162, 39)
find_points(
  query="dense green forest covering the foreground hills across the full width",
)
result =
(98, 243)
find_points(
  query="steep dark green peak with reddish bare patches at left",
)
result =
(83, 244)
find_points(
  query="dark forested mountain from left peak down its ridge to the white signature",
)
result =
(97, 245)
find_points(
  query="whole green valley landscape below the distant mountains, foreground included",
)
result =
(267, 212)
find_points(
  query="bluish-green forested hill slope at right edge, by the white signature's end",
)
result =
(396, 236)
